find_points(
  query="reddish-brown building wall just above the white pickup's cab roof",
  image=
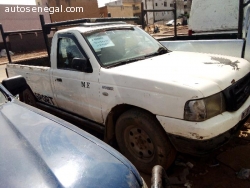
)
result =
(90, 9)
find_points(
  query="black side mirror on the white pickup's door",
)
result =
(82, 64)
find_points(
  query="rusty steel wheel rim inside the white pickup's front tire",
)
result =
(140, 144)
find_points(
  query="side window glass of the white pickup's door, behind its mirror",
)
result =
(67, 51)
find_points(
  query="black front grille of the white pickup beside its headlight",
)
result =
(237, 94)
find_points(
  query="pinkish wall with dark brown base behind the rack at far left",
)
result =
(13, 21)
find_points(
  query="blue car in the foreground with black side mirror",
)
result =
(41, 150)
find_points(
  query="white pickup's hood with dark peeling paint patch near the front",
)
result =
(206, 73)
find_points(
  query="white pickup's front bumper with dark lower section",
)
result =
(199, 138)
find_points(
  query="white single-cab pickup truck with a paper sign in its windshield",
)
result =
(152, 101)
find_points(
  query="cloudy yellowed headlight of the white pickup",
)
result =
(202, 109)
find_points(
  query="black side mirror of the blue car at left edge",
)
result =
(15, 85)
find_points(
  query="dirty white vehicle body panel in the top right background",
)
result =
(213, 17)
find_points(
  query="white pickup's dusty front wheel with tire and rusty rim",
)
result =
(143, 141)
